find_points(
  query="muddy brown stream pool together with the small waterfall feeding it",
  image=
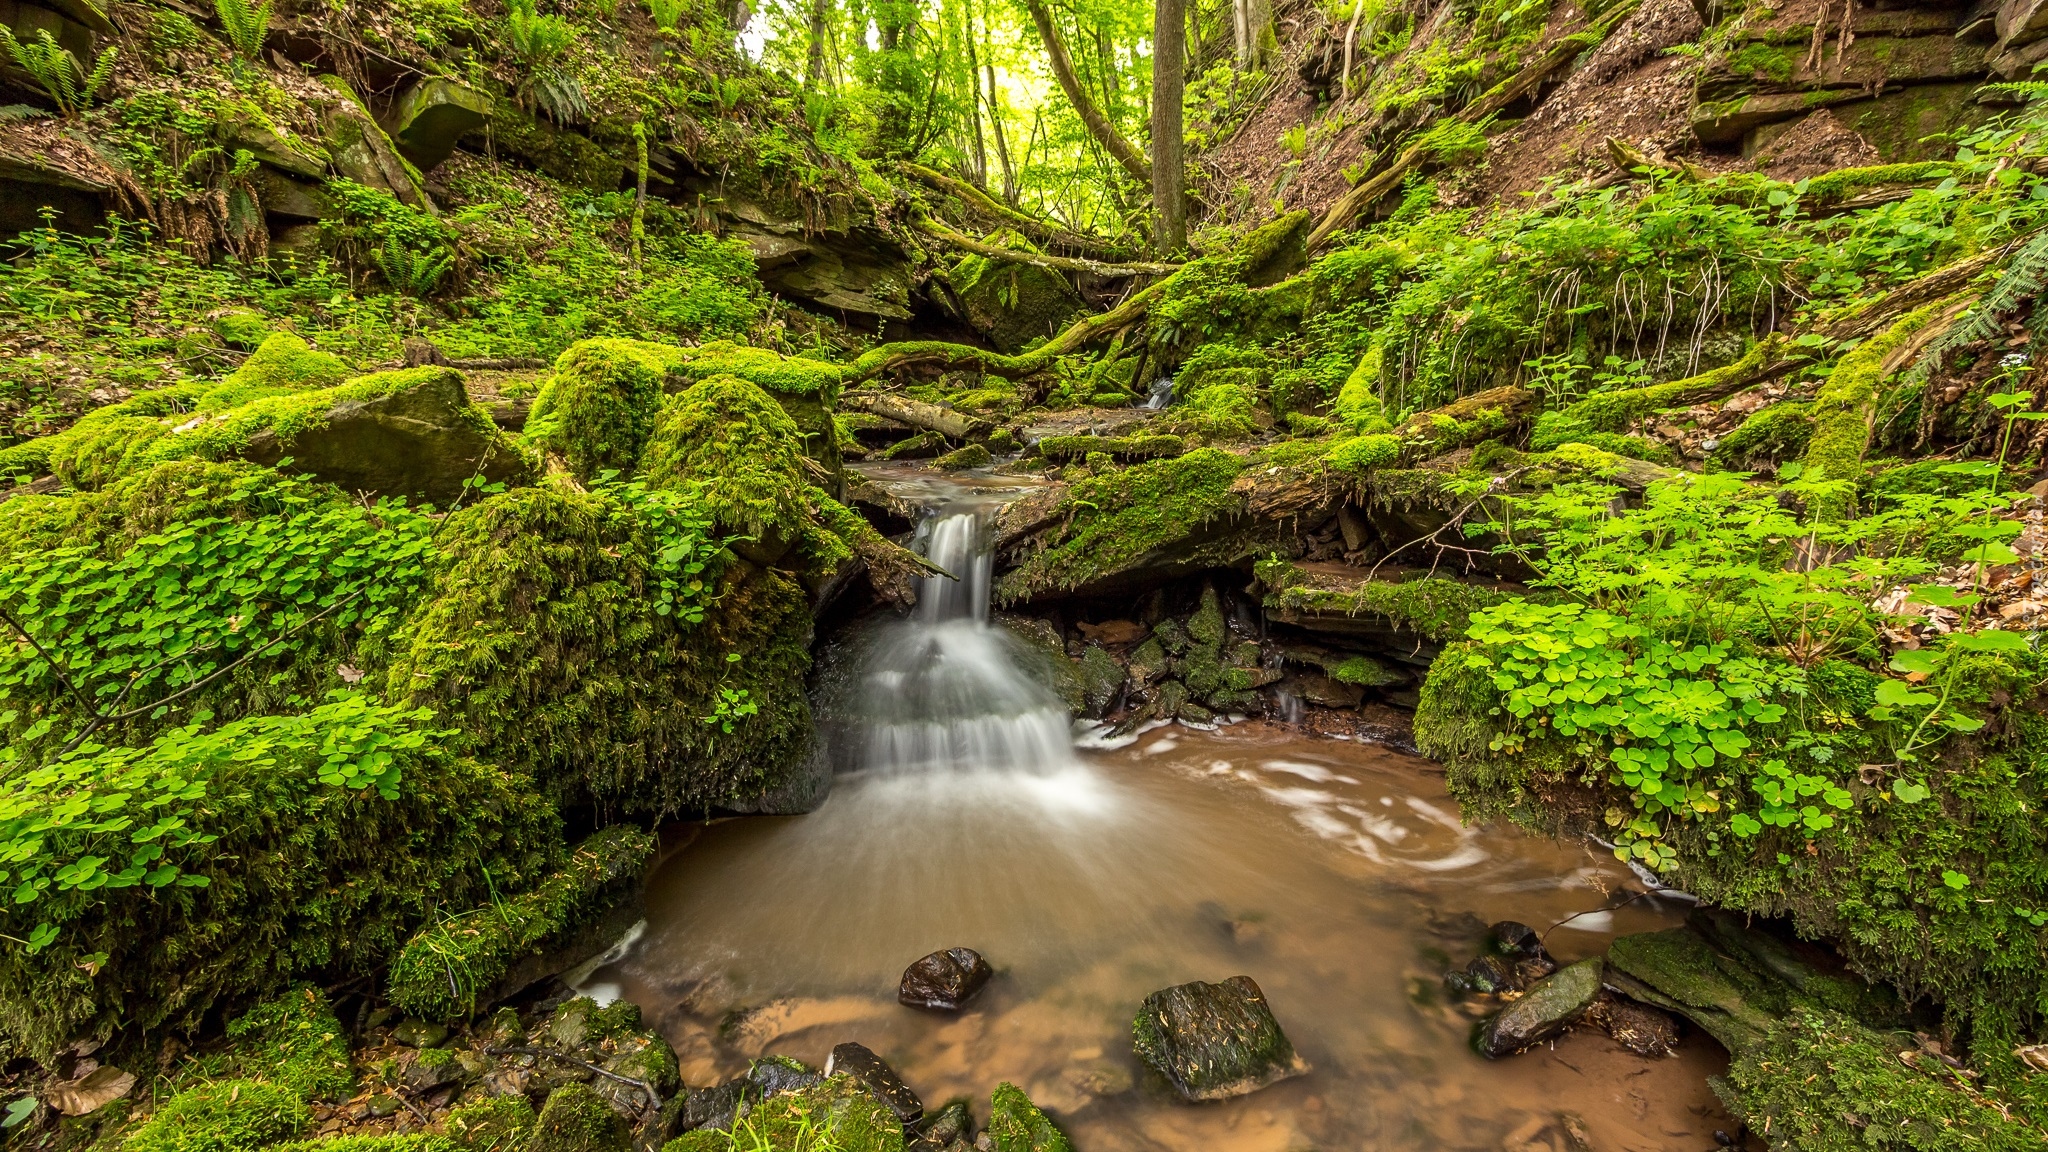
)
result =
(1095, 872)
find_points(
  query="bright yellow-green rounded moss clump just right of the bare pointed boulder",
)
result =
(599, 407)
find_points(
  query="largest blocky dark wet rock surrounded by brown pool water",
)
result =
(1215, 1040)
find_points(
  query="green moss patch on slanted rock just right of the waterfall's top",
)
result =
(1117, 520)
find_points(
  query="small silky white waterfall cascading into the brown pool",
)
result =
(947, 690)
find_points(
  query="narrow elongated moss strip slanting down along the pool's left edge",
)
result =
(443, 971)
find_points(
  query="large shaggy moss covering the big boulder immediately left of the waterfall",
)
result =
(540, 641)
